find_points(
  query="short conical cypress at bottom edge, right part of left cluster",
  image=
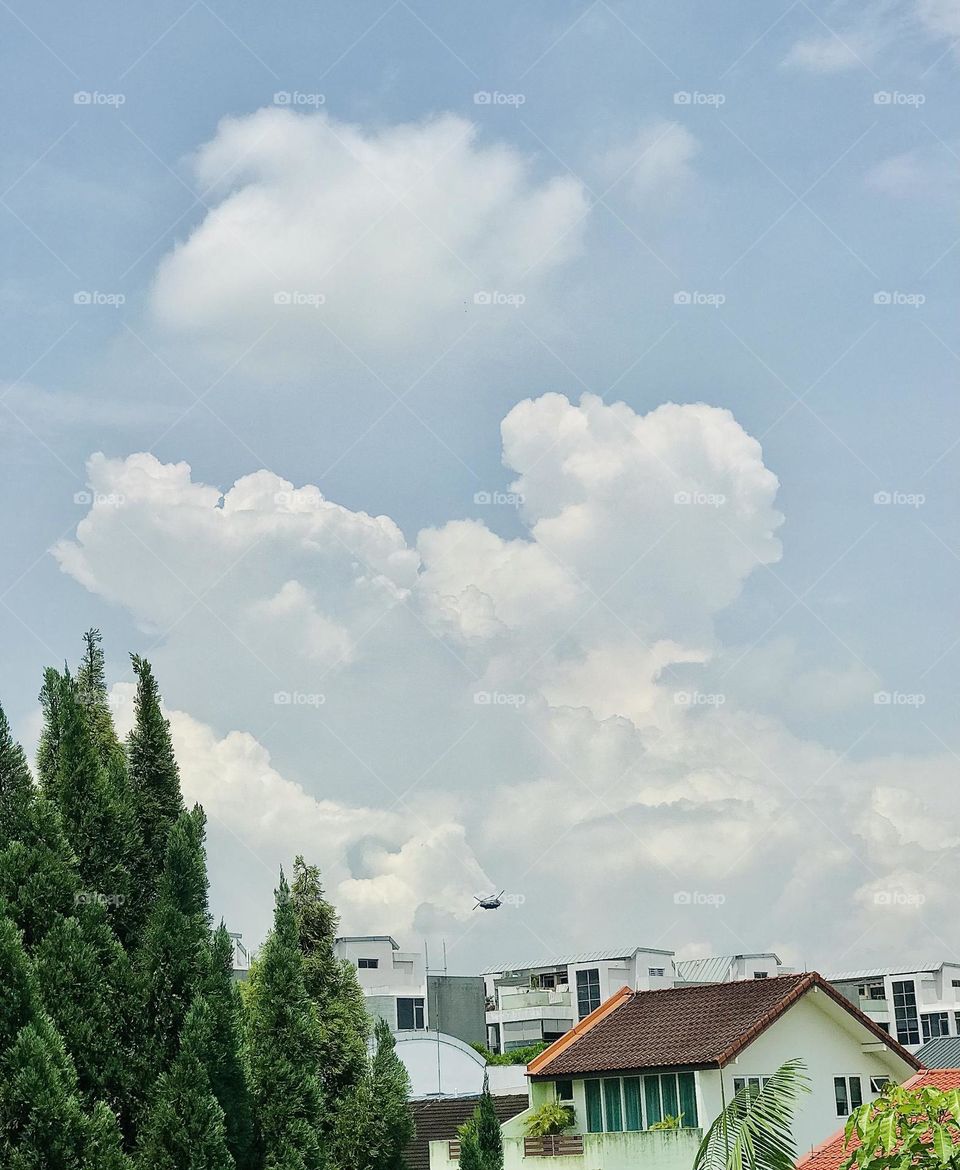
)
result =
(185, 1126)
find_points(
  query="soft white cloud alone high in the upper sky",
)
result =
(381, 237)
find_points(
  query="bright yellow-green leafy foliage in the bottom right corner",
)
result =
(915, 1128)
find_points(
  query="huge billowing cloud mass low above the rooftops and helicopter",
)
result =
(547, 713)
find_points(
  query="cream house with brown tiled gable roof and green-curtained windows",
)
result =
(646, 1057)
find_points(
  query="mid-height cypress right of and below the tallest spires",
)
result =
(172, 959)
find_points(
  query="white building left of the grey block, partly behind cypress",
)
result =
(395, 982)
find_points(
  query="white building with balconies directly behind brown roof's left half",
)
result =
(537, 1002)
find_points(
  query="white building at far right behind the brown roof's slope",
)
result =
(914, 1002)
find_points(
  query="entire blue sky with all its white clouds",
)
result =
(752, 210)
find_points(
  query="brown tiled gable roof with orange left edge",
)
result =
(690, 1027)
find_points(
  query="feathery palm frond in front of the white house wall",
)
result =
(755, 1130)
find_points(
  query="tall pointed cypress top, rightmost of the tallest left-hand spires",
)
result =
(154, 774)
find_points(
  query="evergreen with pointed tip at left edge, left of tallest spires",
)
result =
(38, 878)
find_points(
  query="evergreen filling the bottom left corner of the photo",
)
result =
(43, 1121)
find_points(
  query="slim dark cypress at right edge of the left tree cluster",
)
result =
(224, 1055)
